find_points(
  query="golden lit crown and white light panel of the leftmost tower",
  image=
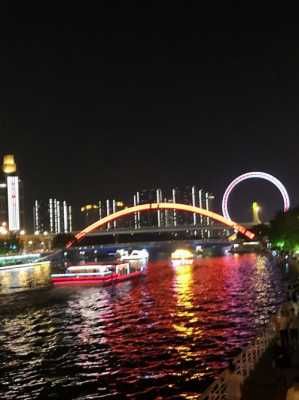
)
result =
(9, 169)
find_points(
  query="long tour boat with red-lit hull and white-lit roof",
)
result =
(97, 274)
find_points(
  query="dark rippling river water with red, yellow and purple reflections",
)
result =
(162, 336)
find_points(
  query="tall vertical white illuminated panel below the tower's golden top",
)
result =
(13, 203)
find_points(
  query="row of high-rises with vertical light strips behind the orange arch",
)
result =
(56, 216)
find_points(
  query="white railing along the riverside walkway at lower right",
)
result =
(245, 363)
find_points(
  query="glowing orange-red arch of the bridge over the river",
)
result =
(161, 206)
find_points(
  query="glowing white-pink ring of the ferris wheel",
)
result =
(258, 175)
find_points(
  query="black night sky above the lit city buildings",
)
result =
(116, 100)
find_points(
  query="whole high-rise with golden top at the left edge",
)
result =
(11, 196)
